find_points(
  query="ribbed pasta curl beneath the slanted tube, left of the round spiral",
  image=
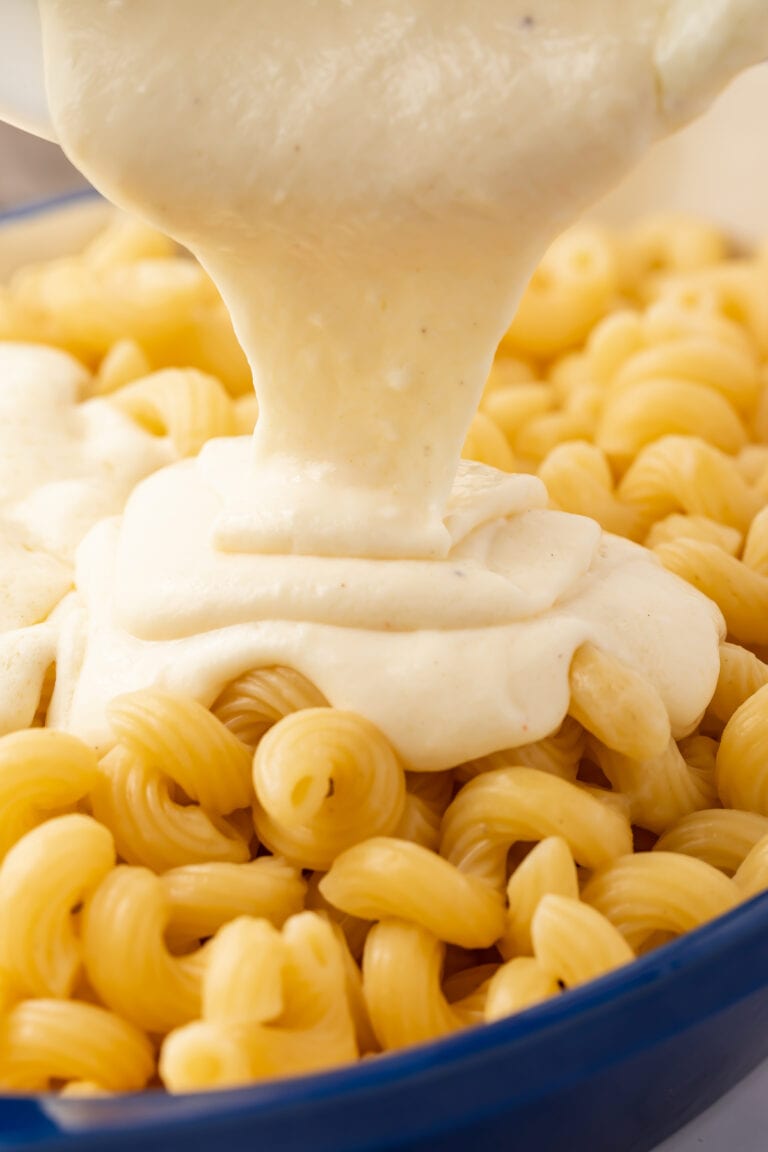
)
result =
(151, 828)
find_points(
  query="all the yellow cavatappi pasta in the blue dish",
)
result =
(264, 889)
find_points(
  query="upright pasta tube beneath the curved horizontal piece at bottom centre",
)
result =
(402, 971)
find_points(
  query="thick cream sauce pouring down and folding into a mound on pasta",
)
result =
(371, 186)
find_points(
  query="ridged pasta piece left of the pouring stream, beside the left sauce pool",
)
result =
(185, 405)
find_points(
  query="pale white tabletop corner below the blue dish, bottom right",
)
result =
(736, 1124)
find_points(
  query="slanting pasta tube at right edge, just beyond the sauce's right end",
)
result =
(741, 594)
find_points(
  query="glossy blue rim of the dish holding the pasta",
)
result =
(703, 945)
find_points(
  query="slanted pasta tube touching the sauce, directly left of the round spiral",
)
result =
(184, 740)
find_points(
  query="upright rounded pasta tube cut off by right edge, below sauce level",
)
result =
(742, 763)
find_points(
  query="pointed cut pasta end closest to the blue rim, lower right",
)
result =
(574, 943)
